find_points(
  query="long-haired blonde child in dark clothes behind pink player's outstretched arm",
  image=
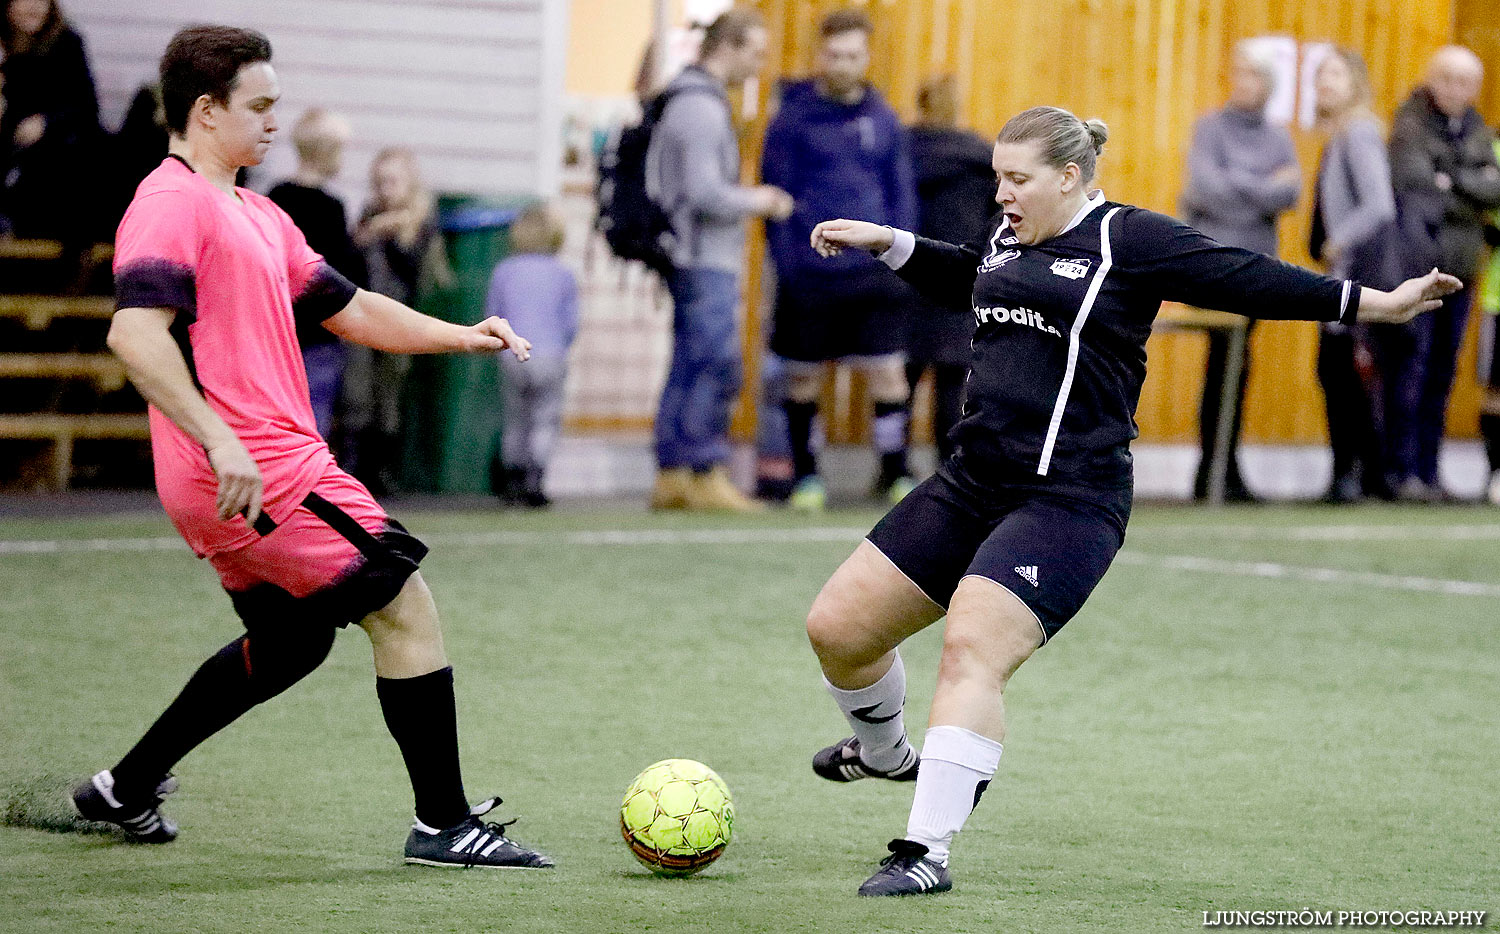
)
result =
(400, 236)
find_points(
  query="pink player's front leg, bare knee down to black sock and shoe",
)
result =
(415, 684)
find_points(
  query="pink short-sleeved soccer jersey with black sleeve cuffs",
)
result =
(238, 272)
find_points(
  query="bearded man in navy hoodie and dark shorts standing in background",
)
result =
(842, 152)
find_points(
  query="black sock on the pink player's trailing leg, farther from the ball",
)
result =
(236, 678)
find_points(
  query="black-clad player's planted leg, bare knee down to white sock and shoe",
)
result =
(989, 635)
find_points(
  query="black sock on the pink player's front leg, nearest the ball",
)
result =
(421, 714)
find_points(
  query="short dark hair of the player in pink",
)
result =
(206, 61)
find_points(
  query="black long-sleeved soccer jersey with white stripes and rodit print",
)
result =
(1061, 328)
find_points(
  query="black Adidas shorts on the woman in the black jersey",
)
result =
(1049, 549)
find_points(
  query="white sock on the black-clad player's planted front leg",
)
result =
(958, 765)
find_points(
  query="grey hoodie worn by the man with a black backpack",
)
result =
(694, 173)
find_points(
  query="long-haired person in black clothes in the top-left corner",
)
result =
(49, 121)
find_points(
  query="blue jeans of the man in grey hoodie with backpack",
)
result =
(692, 427)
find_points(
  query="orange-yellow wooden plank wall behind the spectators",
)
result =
(1150, 68)
